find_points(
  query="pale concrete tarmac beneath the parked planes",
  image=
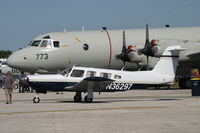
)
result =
(136, 111)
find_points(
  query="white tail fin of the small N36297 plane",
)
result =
(168, 61)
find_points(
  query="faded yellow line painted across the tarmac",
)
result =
(82, 110)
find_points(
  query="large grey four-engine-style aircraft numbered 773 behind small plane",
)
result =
(52, 52)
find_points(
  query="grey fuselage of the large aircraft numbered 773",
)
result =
(99, 49)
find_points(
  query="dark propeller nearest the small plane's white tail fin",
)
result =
(149, 48)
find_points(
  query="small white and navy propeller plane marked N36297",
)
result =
(84, 79)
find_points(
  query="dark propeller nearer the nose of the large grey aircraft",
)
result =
(124, 54)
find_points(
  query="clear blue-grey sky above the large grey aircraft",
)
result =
(23, 20)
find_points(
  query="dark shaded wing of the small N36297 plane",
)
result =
(96, 83)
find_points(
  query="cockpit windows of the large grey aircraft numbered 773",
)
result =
(45, 43)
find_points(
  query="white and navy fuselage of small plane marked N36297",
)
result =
(123, 80)
